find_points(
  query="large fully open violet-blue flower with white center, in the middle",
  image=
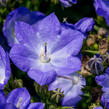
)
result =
(47, 49)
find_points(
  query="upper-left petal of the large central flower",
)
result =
(26, 34)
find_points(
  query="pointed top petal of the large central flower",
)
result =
(49, 27)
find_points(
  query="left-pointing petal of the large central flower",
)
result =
(23, 56)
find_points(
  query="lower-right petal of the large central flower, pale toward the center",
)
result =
(65, 66)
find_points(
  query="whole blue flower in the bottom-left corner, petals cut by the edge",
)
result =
(19, 98)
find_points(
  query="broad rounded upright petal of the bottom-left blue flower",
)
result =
(19, 97)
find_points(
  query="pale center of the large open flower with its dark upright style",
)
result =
(44, 56)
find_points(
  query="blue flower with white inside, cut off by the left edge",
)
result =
(5, 70)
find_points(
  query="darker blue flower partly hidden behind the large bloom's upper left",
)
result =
(19, 14)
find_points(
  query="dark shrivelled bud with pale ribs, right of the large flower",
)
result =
(96, 64)
